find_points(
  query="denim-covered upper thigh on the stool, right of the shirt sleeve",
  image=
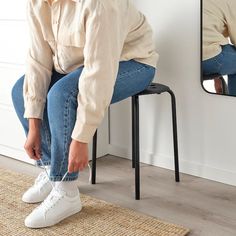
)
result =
(132, 78)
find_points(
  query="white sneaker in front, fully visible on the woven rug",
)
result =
(56, 207)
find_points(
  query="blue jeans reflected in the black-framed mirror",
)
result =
(223, 64)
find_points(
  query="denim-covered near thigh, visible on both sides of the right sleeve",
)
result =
(132, 78)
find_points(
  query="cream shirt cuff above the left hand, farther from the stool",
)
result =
(34, 109)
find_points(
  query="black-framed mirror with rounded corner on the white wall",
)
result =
(218, 46)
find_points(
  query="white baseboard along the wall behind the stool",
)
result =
(187, 167)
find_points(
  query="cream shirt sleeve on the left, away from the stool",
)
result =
(38, 69)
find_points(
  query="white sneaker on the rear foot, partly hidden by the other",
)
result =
(39, 191)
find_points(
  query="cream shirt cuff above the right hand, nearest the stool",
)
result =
(83, 132)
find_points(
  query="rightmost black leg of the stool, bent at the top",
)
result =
(175, 139)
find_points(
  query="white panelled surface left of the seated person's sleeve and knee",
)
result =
(13, 43)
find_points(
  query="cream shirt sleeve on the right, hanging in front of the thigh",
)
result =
(101, 61)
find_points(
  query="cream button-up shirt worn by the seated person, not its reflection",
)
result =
(94, 33)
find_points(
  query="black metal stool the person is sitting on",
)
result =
(153, 88)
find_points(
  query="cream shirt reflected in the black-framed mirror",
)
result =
(219, 24)
